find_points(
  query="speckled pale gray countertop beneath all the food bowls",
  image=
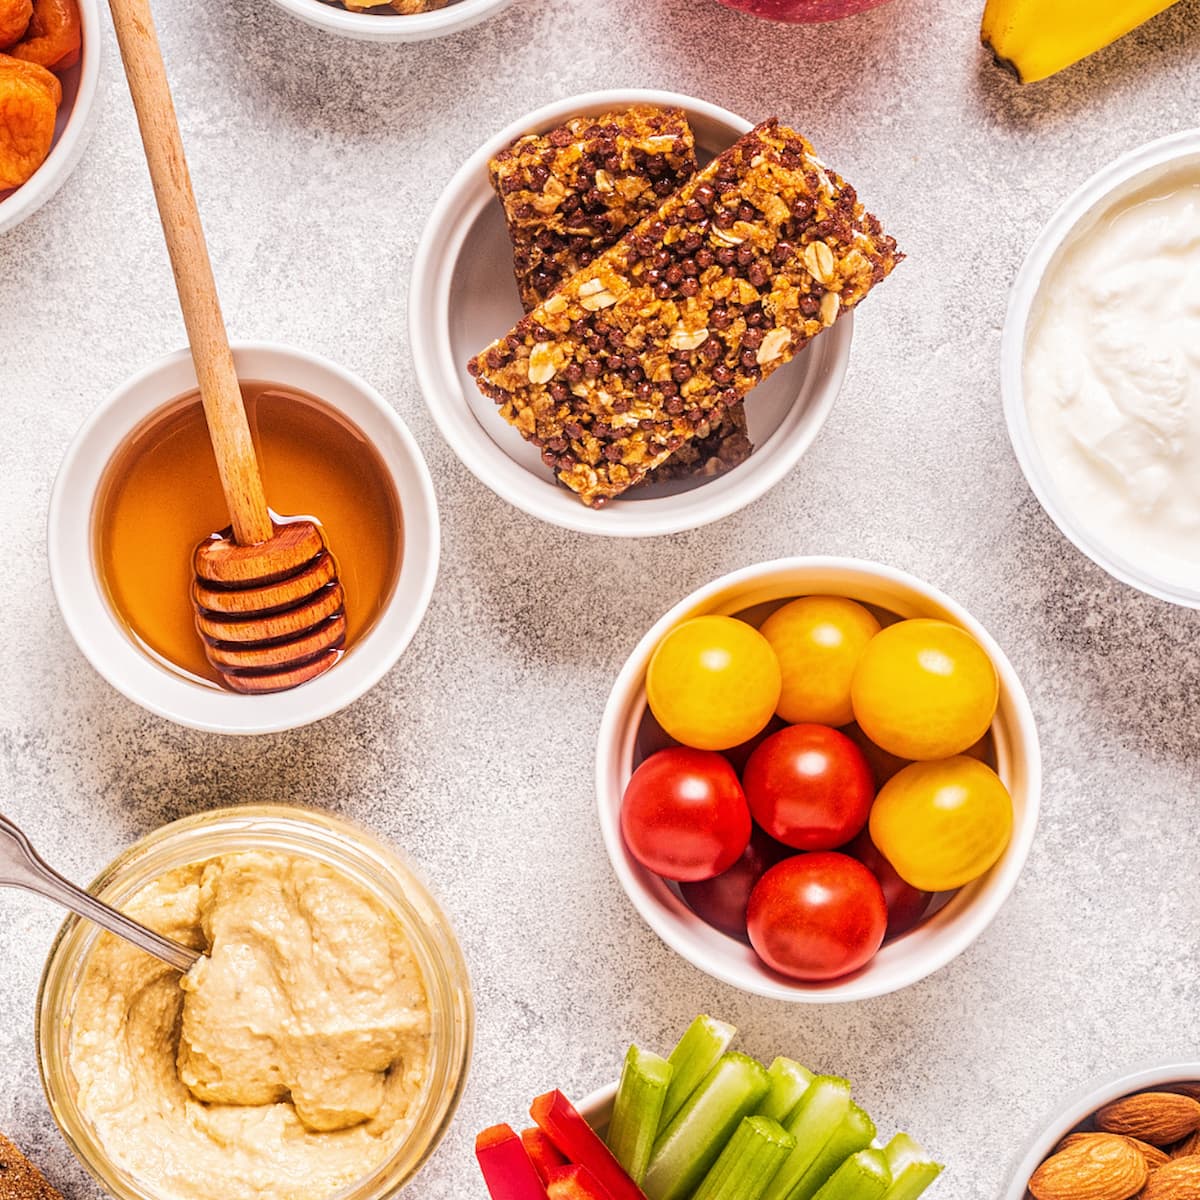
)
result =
(316, 163)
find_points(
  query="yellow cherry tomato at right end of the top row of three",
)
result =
(925, 689)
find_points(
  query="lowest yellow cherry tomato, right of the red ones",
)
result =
(944, 824)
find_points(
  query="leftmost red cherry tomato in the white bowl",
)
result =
(685, 815)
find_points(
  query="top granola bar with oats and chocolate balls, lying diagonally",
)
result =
(734, 275)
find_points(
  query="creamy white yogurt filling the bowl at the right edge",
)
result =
(1112, 379)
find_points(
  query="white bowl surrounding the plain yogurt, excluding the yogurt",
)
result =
(1079, 213)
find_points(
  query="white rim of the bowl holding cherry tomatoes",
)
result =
(1003, 877)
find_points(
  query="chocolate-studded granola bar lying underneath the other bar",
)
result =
(571, 194)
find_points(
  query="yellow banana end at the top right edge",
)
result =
(1036, 39)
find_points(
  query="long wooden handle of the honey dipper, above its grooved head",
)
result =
(229, 429)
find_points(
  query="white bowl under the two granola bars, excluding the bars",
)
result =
(464, 296)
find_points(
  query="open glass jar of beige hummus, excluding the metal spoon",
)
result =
(317, 1052)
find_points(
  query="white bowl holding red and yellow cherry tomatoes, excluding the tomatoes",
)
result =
(940, 938)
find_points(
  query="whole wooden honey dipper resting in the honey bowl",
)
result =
(268, 602)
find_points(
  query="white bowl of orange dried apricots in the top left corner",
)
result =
(50, 69)
